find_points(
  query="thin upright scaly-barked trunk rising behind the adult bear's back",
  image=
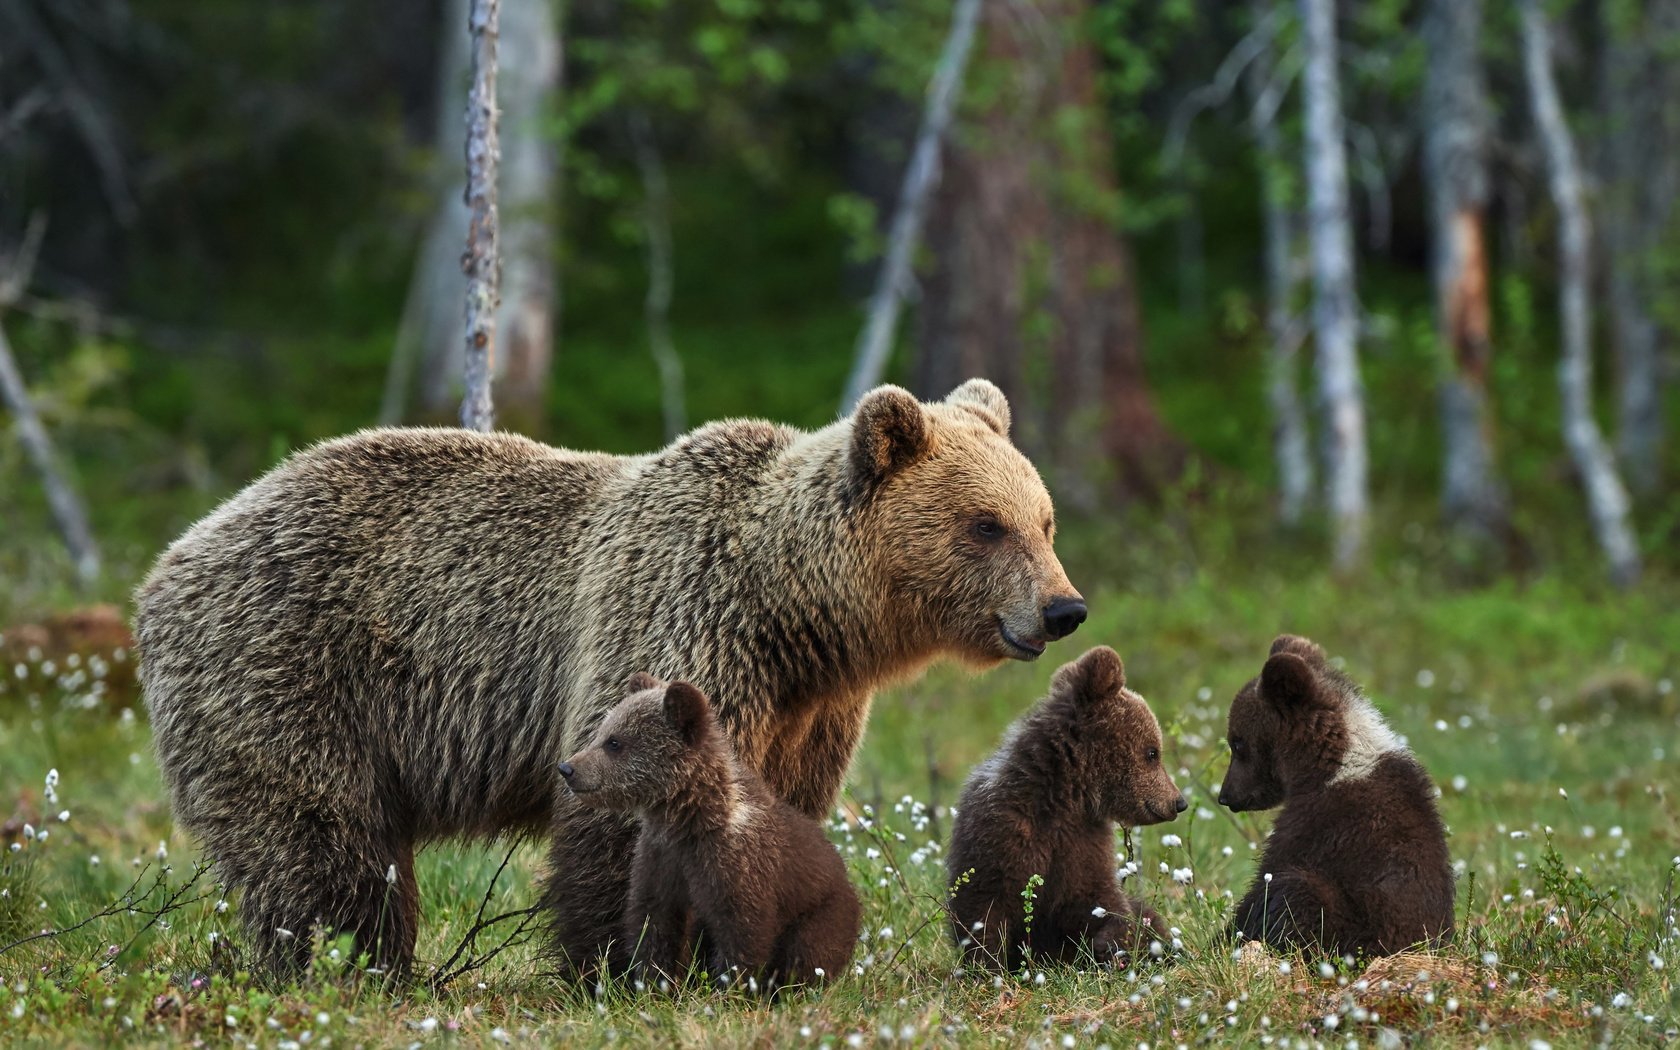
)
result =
(483, 261)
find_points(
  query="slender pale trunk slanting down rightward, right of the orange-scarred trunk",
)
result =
(1605, 496)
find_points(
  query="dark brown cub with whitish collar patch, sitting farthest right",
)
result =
(1357, 863)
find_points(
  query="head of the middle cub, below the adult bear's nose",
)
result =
(1118, 742)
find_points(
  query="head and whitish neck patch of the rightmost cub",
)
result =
(1299, 727)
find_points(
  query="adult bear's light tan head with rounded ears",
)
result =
(962, 523)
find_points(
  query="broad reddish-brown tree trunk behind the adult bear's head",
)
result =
(1034, 285)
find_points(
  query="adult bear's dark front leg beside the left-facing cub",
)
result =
(589, 886)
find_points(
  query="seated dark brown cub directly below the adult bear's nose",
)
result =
(1088, 757)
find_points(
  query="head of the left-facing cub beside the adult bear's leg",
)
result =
(644, 750)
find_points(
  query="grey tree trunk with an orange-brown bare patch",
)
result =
(1456, 139)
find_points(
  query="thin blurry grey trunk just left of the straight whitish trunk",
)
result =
(1289, 419)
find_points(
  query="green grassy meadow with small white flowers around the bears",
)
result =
(1546, 710)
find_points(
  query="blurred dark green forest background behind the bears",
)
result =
(1380, 283)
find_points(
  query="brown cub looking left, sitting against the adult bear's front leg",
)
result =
(720, 861)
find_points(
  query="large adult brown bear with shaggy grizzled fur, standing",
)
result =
(394, 638)
